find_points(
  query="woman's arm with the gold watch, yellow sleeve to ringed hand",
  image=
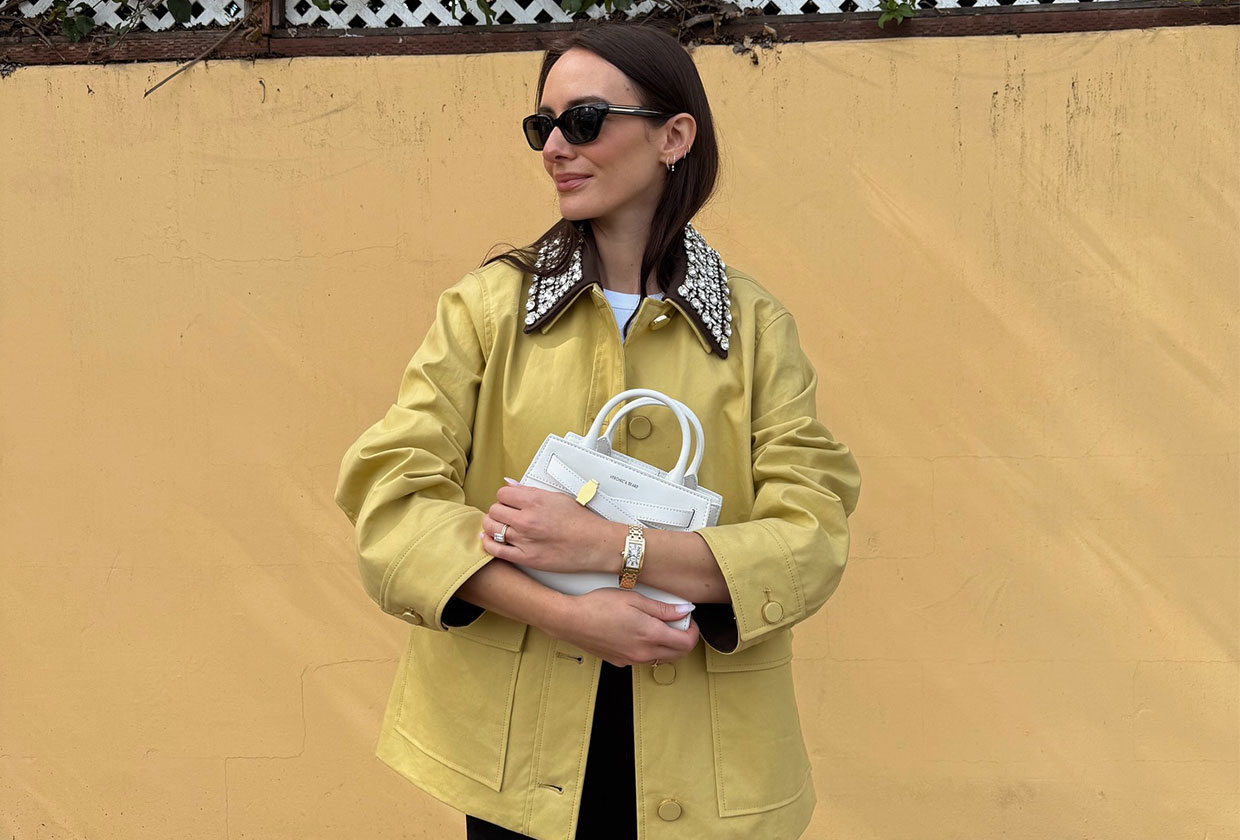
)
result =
(758, 576)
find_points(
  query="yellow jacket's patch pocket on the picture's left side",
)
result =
(457, 700)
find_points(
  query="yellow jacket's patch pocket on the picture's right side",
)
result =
(759, 754)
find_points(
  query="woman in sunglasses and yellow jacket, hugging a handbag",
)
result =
(554, 717)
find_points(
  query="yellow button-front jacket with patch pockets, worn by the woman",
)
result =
(494, 718)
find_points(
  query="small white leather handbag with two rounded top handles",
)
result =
(623, 489)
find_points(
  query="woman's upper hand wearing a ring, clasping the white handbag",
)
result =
(551, 533)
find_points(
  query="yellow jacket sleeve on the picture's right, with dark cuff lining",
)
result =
(783, 563)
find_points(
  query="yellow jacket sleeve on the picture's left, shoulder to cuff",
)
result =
(401, 483)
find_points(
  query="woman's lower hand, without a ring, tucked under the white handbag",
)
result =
(624, 628)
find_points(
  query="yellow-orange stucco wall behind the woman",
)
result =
(1014, 261)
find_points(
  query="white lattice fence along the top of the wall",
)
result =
(386, 14)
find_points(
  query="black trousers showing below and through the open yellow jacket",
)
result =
(607, 813)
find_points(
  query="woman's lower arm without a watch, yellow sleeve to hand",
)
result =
(418, 539)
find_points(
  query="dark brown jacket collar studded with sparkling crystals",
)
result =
(699, 288)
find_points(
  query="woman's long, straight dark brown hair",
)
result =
(666, 81)
